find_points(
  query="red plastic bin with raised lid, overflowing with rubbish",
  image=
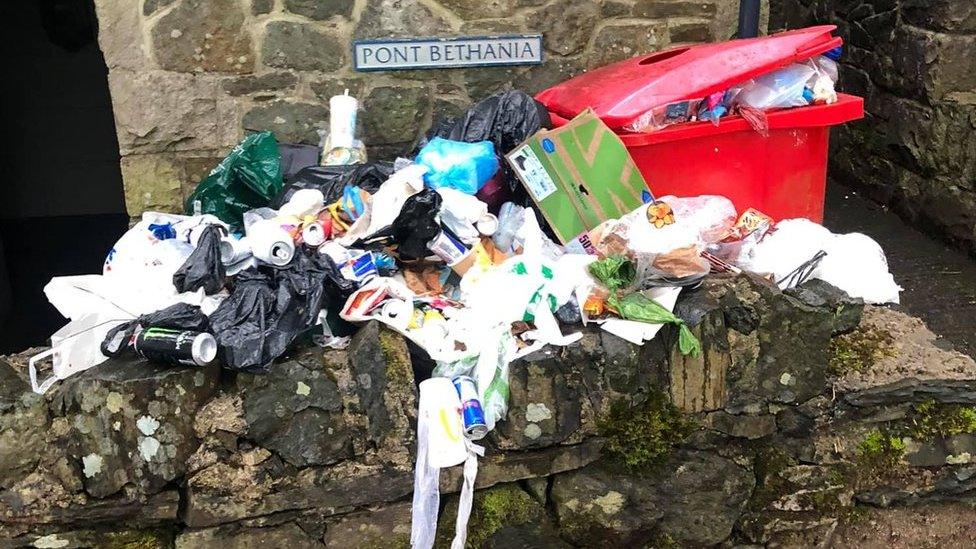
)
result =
(782, 175)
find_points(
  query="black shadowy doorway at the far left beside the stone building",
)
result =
(61, 201)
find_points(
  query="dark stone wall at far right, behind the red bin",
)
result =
(914, 62)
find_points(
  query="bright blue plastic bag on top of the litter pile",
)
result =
(462, 166)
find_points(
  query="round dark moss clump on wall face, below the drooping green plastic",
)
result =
(642, 435)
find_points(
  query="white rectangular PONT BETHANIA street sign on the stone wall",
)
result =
(442, 53)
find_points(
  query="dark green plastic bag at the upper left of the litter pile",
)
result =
(248, 178)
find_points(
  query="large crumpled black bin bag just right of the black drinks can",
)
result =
(270, 307)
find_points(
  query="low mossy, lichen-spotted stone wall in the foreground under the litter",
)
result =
(786, 423)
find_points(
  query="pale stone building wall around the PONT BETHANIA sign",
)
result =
(189, 77)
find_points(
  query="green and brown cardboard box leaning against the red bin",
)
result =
(579, 175)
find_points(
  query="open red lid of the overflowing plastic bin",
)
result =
(621, 92)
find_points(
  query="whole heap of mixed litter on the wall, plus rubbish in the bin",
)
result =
(499, 236)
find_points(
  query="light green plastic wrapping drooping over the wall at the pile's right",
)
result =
(616, 273)
